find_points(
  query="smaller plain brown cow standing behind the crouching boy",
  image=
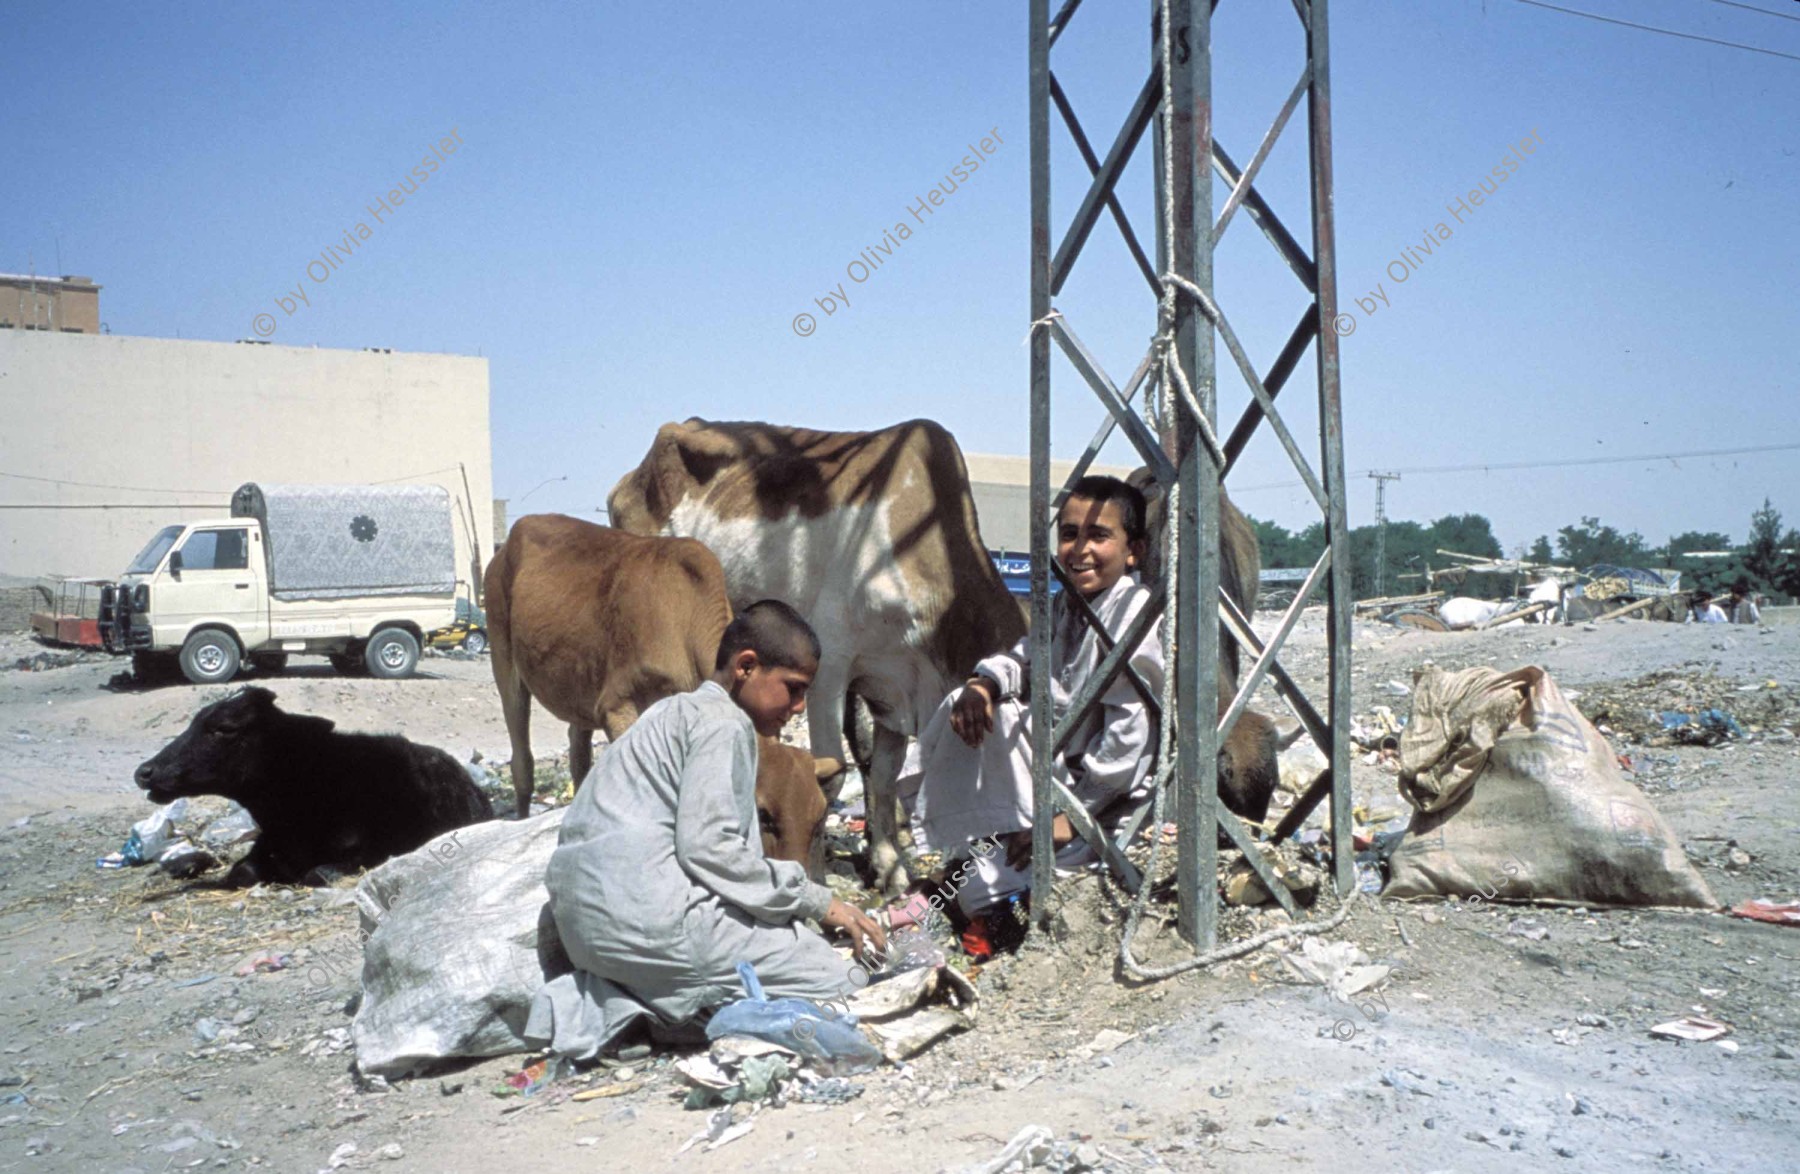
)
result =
(598, 626)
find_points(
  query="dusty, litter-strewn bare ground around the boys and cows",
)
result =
(1507, 1036)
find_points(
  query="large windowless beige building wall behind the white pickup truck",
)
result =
(107, 438)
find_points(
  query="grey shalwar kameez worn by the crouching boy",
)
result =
(660, 885)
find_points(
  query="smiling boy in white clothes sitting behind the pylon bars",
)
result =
(980, 782)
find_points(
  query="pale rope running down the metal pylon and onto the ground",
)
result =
(1173, 386)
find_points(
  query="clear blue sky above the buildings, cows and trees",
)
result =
(649, 195)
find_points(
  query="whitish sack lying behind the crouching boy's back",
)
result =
(460, 939)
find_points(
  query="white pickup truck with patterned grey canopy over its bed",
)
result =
(357, 573)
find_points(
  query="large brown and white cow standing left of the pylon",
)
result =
(870, 536)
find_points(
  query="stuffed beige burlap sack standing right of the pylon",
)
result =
(1520, 799)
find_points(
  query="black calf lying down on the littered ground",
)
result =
(319, 797)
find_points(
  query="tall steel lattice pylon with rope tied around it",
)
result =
(1185, 453)
